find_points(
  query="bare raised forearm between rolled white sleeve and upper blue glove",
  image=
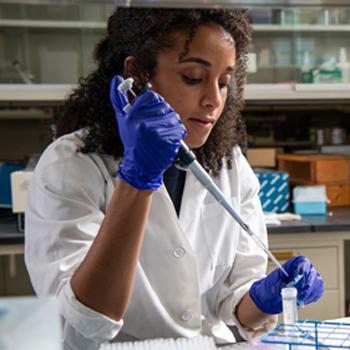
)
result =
(105, 278)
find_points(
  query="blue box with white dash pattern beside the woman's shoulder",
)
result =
(274, 191)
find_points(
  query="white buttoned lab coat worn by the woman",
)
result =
(193, 269)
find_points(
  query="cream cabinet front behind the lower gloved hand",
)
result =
(326, 251)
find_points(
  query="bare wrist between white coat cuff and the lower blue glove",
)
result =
(250, 316)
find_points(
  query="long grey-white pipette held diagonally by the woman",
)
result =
(187, 159)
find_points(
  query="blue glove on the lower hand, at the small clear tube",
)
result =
(266, 293)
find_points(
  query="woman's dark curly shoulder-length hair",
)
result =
(144, 33)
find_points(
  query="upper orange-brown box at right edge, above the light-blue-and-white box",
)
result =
(314, 169)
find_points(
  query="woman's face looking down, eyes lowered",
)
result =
(196, 86)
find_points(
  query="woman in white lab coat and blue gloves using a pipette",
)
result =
(132, 247)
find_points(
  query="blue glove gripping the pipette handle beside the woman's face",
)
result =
(151, 133)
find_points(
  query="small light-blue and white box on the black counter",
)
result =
(310, 200)
